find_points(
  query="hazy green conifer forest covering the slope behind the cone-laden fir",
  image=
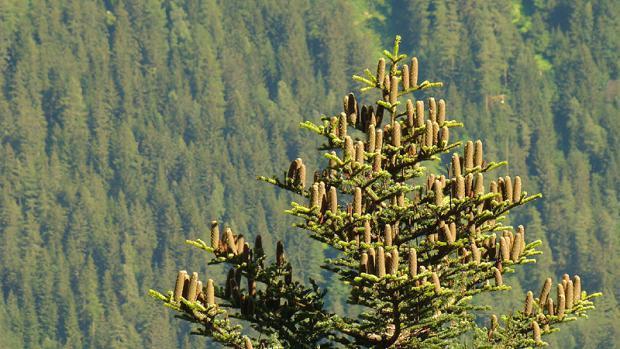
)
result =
(127, 126)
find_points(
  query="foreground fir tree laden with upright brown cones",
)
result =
(414, 242)
